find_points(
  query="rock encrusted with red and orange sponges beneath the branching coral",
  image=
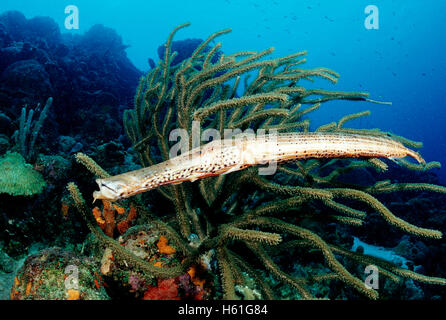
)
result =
(145, 242)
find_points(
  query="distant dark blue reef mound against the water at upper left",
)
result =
(89, 76)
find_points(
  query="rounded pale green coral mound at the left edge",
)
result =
(19, 178)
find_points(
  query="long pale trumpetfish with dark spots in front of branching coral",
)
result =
(225, 156)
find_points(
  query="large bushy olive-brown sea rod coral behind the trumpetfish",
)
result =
(243, 213)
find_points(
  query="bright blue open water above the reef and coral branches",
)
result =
(403, 61)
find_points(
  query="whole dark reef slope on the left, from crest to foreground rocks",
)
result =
(37, 61)
